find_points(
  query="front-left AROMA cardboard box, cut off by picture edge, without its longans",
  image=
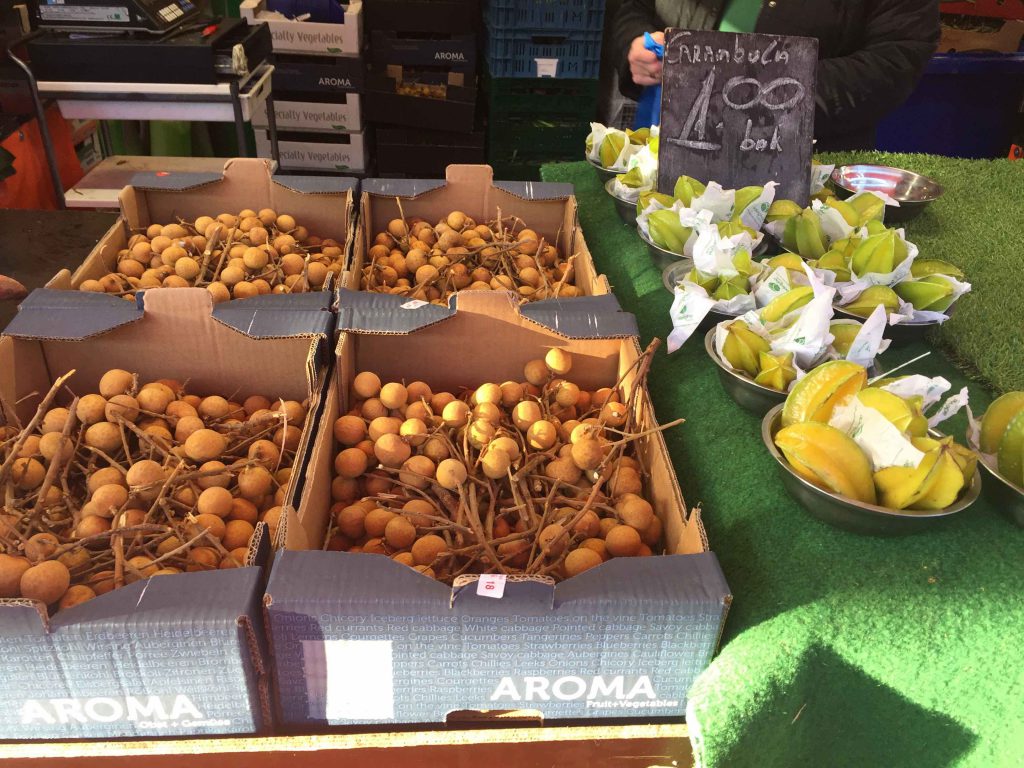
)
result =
(169, 656)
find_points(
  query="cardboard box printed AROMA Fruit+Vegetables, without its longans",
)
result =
(364, 639)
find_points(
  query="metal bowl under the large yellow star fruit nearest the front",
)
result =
(856, 517)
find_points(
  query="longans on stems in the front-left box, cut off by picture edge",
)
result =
(131, 483)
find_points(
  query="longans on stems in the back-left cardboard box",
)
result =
(234, 257)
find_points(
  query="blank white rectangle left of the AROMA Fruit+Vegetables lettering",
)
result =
(350, 679)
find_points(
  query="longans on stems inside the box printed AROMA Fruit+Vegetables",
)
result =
(536, 478)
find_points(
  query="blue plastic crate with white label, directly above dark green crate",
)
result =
(538, 54)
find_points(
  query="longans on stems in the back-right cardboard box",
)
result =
(431, 264)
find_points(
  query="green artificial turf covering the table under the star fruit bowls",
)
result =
(842, 650)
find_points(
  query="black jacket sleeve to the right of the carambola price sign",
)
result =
(856, 92)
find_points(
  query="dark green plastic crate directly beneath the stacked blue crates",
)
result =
(542, 97)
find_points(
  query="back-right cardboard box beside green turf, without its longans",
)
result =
(548, 209)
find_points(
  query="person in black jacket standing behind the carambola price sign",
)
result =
(871, 53)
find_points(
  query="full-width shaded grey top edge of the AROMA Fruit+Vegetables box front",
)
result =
(320, 578)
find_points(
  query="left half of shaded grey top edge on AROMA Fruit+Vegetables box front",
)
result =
(314, 577)
